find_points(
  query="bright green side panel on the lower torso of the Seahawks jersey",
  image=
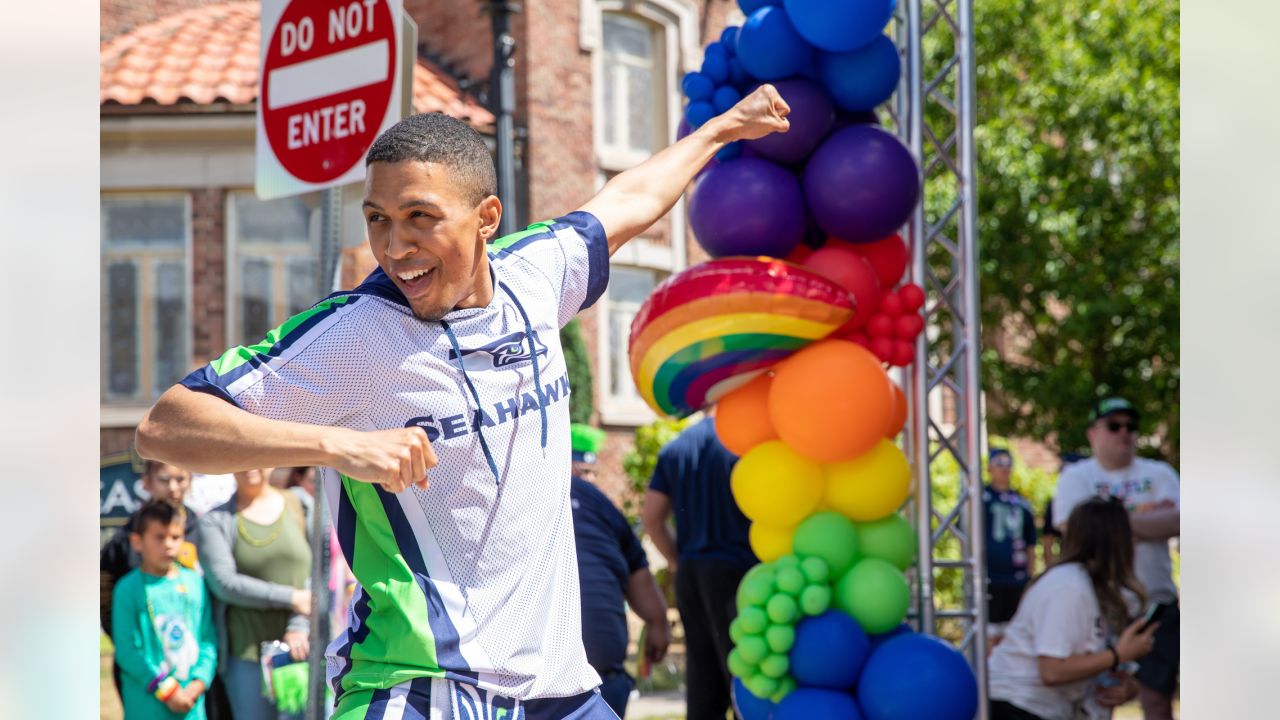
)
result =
(400, 645)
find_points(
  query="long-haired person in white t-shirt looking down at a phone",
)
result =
(1058, 660)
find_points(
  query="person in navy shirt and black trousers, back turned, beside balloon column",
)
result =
(710, 555)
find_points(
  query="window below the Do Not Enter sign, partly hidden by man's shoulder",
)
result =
(272, 272)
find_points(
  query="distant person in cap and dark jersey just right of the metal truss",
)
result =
(1011, 545)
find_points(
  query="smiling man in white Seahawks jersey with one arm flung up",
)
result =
(436, 399)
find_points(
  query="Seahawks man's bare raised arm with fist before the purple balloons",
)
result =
(634, 200)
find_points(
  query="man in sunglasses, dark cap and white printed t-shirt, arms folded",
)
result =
(1150, 491)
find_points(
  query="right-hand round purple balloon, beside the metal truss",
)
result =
(862, 184)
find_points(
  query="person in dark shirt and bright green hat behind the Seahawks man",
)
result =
(611, 569)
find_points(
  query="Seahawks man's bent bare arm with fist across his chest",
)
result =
(207, 435)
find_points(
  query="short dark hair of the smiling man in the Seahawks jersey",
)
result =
(436, 138)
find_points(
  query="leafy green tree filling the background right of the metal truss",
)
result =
(1078, 212)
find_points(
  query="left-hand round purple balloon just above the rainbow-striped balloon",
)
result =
(748, 207)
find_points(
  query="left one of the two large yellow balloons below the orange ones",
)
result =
(776, 486)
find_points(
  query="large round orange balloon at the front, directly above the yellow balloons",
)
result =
(831, 402)
